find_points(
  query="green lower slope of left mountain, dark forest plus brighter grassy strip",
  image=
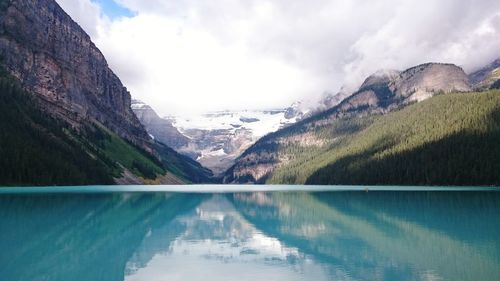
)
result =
(37, 149)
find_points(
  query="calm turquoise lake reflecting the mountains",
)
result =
(254, 233)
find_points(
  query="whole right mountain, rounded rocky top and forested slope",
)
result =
(382, 134)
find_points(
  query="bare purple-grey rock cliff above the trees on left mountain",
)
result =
(56, 60)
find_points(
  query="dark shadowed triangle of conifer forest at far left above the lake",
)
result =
(34, 148)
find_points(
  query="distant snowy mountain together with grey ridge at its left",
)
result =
(214, 139)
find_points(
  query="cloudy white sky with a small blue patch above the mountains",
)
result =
(186, 57)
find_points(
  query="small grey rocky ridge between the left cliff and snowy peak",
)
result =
(160, 128)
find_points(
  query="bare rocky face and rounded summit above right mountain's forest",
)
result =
(380, 93)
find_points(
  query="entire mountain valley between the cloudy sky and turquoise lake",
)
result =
(68, 119)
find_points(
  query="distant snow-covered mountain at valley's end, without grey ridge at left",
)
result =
(216, 139)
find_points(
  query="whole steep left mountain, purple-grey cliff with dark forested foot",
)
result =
(66, 117)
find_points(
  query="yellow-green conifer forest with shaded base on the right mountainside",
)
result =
(450, 139)
